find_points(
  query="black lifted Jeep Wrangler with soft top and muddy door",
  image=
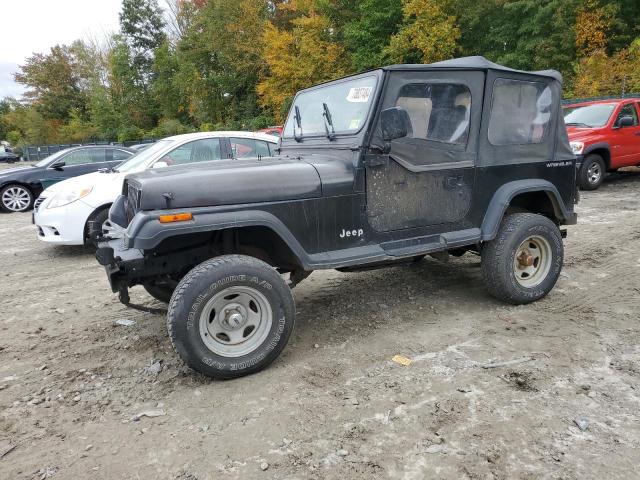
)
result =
(374, 169)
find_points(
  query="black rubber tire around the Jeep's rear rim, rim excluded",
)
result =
(497, 258)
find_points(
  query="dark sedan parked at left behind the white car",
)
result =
(19, 187)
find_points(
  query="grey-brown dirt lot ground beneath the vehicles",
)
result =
(334, 406)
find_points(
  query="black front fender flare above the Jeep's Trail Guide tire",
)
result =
(145, 231)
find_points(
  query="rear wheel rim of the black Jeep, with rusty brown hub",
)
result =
(532, 261)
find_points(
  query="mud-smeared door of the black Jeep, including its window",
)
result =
(427, 176)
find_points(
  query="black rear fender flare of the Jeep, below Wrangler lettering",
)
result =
(503, 196)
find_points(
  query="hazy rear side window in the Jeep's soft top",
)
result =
(520, 112)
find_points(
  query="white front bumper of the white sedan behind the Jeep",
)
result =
(62, 225)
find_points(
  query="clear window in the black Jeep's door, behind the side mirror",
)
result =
(438, 112)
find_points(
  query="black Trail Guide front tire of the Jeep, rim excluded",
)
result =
(193, 284)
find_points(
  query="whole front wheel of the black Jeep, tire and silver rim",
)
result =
(231, 316)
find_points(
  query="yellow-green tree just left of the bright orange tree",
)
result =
(219, 61)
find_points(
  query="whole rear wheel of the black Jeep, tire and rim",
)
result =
(522, 264)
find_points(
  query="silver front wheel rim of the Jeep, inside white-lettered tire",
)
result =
(236, 321)
